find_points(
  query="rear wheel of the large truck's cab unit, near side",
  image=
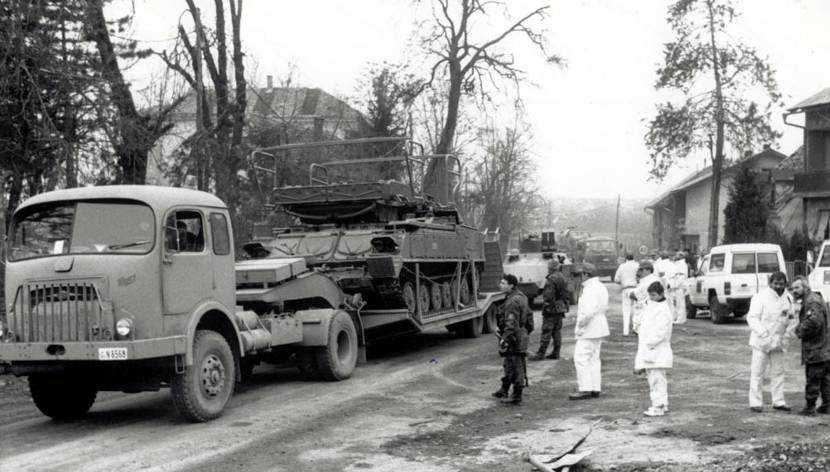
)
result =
(338, 358)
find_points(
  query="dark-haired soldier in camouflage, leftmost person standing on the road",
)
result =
(515, 323)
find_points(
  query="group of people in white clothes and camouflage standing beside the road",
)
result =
(650, 304)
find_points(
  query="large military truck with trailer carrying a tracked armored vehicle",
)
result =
(135, 288)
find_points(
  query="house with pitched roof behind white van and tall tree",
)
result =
(680, 216)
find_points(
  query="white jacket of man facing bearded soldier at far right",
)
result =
(769, 317)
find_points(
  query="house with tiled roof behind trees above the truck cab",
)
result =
(277, 115)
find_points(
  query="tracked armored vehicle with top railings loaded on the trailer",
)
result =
(410, 257)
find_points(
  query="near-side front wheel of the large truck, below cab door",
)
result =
(201, 392)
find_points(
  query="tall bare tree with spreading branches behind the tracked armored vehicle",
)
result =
(469, 66)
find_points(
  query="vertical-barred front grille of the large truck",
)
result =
(60, 311)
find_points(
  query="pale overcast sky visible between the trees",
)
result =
(588, 118)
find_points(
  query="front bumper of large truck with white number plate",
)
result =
(92, 351)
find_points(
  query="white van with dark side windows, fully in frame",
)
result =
(727, 278)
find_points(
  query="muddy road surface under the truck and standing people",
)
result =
(422, 404)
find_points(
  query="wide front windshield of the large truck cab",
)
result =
(123, 227)
